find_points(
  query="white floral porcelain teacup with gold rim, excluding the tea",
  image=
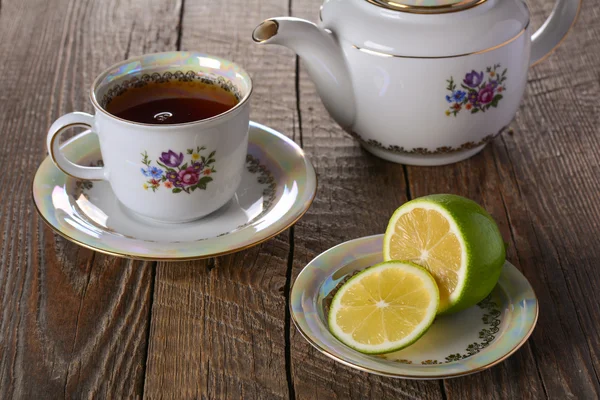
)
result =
(169, 173)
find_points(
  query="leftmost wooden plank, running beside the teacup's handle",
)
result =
(73, 323)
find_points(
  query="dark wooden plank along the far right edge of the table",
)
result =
(554, 169)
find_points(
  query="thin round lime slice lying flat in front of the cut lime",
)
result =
(384, 308)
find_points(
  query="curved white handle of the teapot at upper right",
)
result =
(555, 29)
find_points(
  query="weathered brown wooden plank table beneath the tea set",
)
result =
(79, 324)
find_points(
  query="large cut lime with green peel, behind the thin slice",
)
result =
(454, 239)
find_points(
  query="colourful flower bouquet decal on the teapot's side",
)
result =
(479, 91)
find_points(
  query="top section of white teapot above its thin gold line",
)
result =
(425, 28)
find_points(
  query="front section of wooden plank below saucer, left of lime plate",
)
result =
(217, 327)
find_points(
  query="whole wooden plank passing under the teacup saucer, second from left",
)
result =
(218, 326)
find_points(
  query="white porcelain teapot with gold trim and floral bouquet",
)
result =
(421, 82)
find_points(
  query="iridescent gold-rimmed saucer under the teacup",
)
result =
(278, 186)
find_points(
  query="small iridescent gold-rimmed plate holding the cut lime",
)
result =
(455, 345)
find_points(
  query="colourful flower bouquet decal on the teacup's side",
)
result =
(177, 176)
